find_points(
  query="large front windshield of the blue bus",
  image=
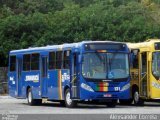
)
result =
(105, 65)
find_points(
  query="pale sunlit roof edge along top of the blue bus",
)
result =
(65, 45)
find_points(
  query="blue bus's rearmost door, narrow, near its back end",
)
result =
(19, 80)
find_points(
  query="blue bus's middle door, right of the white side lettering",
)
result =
(44, 76)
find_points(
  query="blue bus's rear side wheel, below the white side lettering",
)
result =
(30, 99)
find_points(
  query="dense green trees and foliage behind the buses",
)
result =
(29, 23)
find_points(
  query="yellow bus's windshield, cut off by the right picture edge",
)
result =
(156, 64)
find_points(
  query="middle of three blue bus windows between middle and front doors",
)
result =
(58, 59)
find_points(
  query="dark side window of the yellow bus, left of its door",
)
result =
(135, 58)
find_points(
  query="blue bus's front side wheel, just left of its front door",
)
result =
(68, 101)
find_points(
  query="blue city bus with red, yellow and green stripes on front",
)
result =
(93, 71)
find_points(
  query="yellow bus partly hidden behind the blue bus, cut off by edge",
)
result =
(145, 71)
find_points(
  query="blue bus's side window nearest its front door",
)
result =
(66, 61)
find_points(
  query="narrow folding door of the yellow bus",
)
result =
(143, 74)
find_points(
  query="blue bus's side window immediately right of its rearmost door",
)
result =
(26, 62)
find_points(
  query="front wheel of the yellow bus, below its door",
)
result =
(136, 98)
